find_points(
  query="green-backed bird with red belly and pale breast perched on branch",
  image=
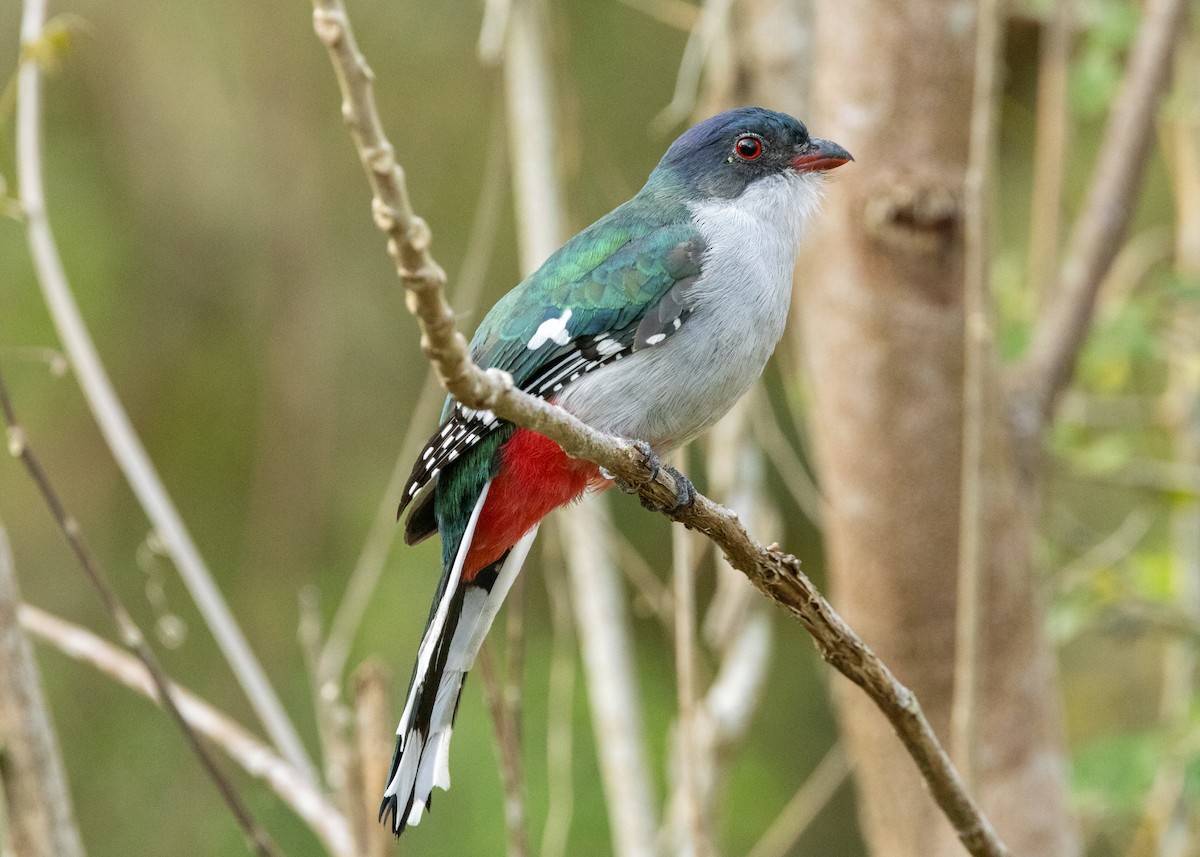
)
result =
(649, 325)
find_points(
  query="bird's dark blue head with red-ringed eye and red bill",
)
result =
(724, 155)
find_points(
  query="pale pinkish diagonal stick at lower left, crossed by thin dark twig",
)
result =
(259, 760)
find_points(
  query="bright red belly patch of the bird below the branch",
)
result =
(536, 478)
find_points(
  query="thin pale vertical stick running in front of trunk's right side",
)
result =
(977, 344)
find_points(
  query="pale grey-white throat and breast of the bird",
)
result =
(671, 393)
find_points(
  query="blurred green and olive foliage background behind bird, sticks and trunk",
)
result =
(215, 224)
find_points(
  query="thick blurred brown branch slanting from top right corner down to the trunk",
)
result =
(1096, 239)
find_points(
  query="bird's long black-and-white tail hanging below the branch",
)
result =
(458, 626)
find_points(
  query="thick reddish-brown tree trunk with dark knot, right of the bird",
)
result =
(884, 332)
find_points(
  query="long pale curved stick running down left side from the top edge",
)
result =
(115, 423)
